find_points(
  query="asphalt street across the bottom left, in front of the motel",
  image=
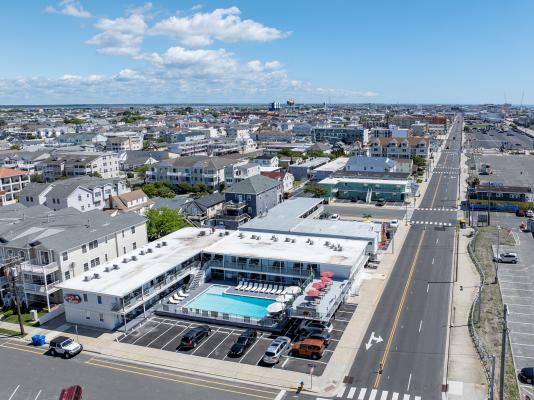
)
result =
(27, 374)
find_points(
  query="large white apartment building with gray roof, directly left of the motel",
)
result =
(57, 246)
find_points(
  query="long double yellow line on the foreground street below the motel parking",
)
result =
(176, 377)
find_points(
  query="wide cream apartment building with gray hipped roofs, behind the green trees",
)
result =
(192, 170)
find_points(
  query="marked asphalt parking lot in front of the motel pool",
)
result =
(164, 333)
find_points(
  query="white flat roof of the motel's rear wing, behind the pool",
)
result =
(300, 251)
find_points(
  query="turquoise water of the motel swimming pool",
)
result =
(214, 299)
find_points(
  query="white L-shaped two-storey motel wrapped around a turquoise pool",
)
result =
(228, 277)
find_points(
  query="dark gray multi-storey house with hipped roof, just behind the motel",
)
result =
(249, 198)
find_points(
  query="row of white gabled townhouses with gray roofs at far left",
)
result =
(84, 193)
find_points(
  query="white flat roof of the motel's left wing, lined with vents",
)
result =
(181, 245)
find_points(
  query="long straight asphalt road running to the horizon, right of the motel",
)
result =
(412, 315)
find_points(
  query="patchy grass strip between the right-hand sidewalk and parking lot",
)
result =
(490, 327)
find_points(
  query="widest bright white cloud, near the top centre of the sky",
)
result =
(223, 24)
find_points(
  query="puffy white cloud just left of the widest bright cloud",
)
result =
(120, 36)
